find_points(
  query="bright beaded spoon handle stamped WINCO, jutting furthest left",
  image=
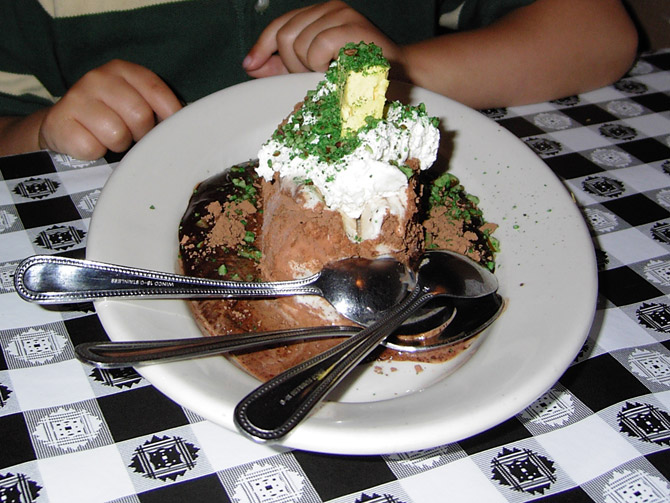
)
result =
(48, 279)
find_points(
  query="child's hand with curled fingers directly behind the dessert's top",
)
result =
(308, 39)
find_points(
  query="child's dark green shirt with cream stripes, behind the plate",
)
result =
(196, 46)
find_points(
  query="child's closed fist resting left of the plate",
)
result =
(107, 109)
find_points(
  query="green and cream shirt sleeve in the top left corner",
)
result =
(29, 74)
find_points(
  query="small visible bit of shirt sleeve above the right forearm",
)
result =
(471, 14)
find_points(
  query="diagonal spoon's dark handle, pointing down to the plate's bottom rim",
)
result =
(274, 408)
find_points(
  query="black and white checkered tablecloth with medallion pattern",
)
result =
(72, 433)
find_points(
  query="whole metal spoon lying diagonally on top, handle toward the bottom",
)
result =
(277, 406)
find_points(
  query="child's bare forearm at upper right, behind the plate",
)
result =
(547, 50)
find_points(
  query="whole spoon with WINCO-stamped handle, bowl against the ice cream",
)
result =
(358, 288)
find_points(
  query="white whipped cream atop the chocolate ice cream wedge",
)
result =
(366, 183)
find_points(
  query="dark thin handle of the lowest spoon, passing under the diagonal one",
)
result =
(117, 354)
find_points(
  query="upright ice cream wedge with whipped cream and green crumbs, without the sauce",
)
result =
(346, 155)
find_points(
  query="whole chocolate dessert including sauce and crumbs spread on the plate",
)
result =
(345, 174)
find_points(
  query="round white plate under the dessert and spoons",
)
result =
(546, 270)
